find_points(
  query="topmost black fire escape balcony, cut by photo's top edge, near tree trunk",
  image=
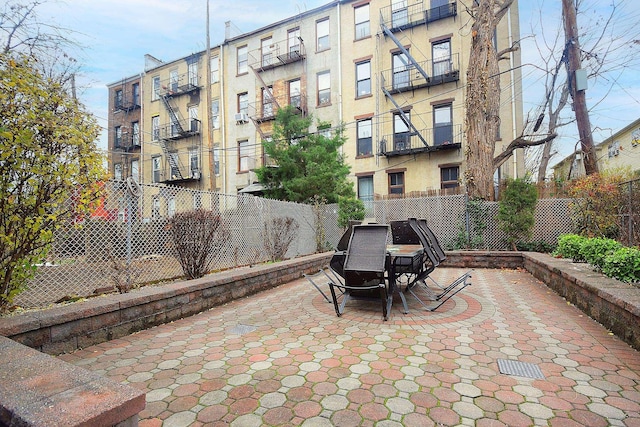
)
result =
(399, 19)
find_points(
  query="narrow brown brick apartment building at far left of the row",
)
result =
(124, 128)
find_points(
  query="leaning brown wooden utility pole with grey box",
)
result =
(572, 50)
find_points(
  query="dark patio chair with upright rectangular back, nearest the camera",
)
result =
(364, 268)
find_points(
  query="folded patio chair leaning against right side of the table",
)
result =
(445, 292)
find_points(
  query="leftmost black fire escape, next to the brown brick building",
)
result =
(178, 128)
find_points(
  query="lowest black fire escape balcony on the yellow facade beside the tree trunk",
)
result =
(448, 137)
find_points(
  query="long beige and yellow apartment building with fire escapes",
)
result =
(392, 71)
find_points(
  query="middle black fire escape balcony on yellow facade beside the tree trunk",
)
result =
(409, 78)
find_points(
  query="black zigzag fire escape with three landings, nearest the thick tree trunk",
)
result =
(410, 75)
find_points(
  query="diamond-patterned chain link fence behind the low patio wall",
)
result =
(127, 237)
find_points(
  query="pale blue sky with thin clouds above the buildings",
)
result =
(116, 34)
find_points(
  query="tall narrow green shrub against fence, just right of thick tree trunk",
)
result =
(516, 210)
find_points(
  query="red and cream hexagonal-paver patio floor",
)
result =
(282, 357)
